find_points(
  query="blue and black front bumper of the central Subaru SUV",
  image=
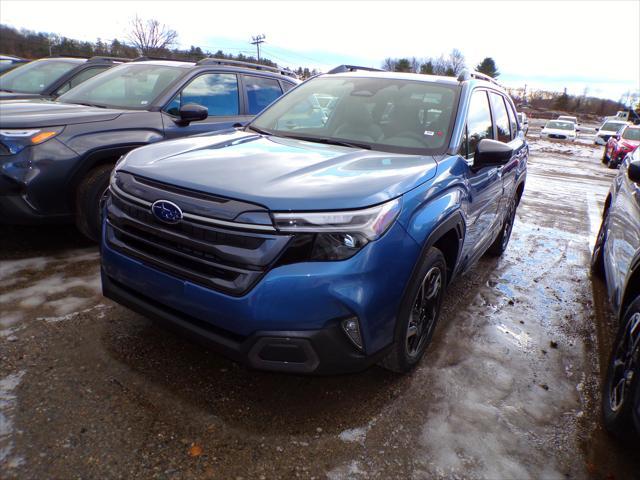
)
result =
(295, 308)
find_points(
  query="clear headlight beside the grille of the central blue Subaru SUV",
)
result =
(340, 235)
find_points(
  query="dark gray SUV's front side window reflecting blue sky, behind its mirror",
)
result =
(218, 92)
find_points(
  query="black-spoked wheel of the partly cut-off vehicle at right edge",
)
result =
(623, 375)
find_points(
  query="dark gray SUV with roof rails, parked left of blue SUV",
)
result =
(56, 156)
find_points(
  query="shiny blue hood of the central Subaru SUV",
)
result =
(280, 173)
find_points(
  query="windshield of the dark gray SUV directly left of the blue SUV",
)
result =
(131, 86)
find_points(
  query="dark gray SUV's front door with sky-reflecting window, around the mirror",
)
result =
(219, 92)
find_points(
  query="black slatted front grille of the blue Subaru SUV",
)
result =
(223, 258)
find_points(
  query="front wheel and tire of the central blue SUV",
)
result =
(419, 313)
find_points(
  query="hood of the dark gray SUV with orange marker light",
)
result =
(46, 113)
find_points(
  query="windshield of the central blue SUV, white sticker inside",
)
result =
(385, 114)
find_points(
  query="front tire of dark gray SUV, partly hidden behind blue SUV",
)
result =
(88, 196)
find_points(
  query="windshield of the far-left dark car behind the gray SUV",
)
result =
(34, 77)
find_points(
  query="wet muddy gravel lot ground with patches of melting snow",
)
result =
(509, 387)
